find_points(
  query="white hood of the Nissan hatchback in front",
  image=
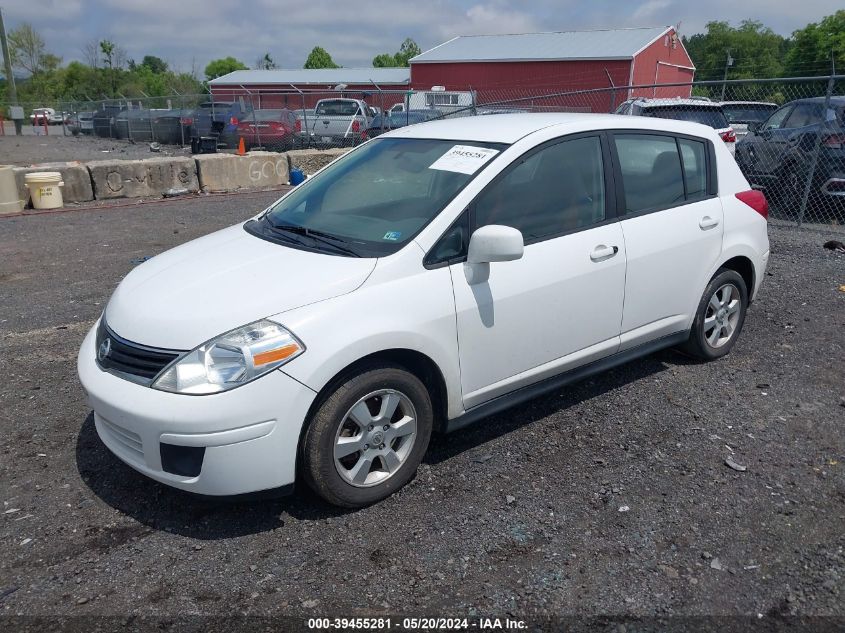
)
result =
(192, 293)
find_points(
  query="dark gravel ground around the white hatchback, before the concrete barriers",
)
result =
(610, 497)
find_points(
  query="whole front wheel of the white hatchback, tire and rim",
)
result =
(368, 437)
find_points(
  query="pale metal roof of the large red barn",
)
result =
(561, 45)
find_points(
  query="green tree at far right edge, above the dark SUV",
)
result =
(817, 47)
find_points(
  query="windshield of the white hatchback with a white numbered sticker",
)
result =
(376, 198)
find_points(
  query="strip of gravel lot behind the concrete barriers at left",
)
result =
(30, 149)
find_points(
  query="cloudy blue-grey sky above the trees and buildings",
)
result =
(189, 33)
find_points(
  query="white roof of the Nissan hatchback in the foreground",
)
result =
(509, 128)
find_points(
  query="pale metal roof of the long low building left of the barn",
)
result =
(316, 76)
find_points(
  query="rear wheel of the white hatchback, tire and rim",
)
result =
(699, 344)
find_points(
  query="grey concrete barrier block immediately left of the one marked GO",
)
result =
(146, 178)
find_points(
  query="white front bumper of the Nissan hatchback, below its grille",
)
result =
(246, 439)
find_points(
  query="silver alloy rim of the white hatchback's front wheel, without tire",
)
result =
(375, 438)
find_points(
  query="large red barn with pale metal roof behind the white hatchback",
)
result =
(513, 67)
